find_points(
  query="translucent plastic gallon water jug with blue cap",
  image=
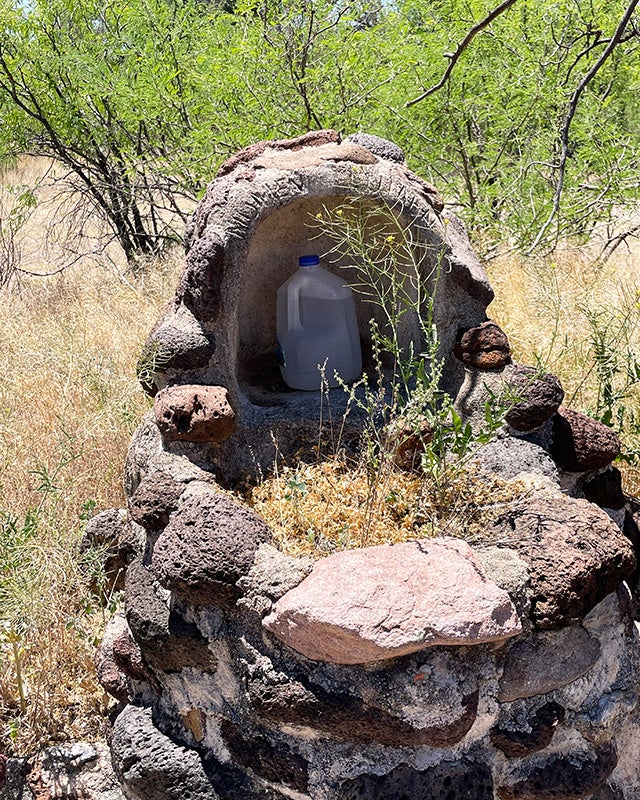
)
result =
(317, 328)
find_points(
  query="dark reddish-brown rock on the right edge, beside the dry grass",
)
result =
(582, 444)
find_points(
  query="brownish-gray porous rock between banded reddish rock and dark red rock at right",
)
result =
(536, 397)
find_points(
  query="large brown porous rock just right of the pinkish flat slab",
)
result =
(575, 555)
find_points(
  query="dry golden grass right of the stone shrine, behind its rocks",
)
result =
(558, 311)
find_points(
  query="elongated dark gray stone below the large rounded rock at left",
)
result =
(166, 640)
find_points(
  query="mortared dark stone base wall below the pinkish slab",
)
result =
(551, 716)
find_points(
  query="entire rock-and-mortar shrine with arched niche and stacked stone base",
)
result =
(429, 670)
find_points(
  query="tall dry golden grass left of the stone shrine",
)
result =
(69, 402)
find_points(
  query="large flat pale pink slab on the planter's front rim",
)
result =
(386, 601)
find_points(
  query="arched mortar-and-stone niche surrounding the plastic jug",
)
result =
(247, 233)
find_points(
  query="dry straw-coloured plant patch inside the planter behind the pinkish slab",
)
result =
(315, 509)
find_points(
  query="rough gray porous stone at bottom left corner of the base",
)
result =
(151, 766)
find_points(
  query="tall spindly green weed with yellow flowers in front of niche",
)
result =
(398, 268)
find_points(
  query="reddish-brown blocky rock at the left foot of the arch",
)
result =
(193, 413)
